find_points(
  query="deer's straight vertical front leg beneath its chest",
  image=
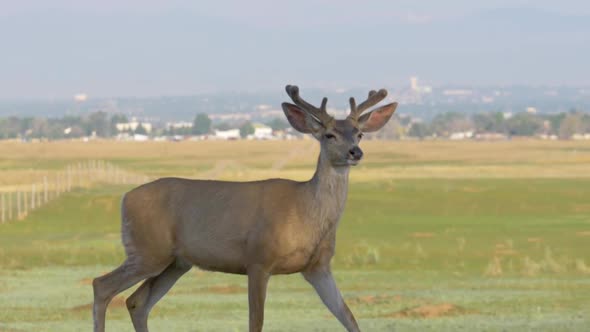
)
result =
(257, 282)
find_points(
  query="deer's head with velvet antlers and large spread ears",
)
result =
(338, 139)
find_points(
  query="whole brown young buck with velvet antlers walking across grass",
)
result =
(258, 228)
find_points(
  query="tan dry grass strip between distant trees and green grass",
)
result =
(24, 163)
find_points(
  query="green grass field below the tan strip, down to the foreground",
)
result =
(401, 244)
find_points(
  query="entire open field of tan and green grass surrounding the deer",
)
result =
(436, 236)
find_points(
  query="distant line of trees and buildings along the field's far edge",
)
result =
(101, 124)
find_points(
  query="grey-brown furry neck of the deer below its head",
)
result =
(329, 189)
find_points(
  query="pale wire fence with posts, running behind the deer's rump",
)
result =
(17, 202)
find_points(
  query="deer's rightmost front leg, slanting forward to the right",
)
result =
(322, 280)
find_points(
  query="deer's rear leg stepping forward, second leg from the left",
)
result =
(151, 291)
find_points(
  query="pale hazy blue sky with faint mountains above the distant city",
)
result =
(55, 49)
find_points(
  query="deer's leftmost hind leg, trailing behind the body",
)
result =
(111, 284)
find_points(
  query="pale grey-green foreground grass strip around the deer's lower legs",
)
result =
(218, 302)
